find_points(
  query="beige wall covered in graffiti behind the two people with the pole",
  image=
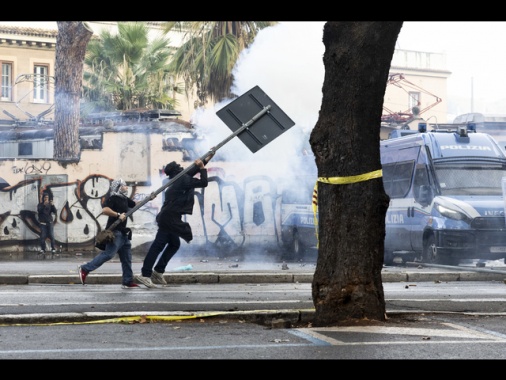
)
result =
(239, 210)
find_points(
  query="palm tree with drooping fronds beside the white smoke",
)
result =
(209, 53)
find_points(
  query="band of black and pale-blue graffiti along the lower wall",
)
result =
(227, 215)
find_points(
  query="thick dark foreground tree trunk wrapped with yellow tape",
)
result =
(347, 283)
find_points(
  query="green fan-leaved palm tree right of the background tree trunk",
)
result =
(127, 70)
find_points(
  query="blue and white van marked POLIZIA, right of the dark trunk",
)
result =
(446, 195)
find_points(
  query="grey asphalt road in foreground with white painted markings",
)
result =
(435, 337)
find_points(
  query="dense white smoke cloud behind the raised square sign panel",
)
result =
(286, 62)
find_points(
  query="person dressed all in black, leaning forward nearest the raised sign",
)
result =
(179, 200)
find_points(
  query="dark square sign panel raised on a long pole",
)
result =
(262, 131)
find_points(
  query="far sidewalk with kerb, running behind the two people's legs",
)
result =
(19, 270)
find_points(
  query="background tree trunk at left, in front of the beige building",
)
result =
(71, 43)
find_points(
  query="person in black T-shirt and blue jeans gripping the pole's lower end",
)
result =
(116, 207)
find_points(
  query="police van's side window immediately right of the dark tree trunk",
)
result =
(397, 178)
